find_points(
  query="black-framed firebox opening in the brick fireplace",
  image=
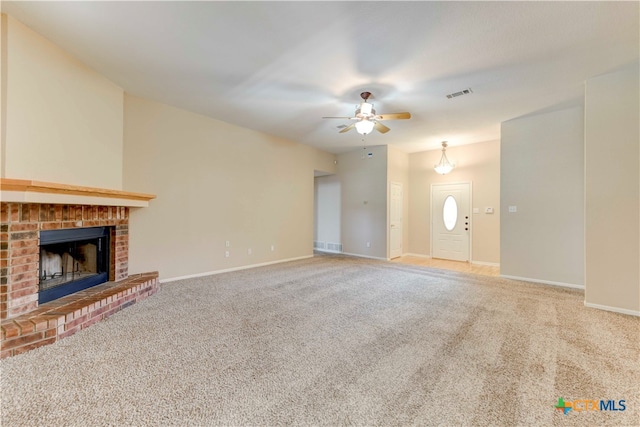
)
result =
(72, 260)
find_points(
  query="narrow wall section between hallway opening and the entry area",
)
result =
(363, 181)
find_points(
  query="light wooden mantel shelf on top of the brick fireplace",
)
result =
(27, 191)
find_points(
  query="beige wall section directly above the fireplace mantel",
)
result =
(62, 121)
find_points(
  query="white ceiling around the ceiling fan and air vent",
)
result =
(278, 67)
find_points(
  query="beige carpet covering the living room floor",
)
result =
(335, 340)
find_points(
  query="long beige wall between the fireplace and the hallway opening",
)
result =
(215, 182)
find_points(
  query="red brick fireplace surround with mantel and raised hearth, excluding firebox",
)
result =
(27, 324)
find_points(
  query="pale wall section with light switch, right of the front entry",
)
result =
(542, 164)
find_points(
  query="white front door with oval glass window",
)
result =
(450, 221)
